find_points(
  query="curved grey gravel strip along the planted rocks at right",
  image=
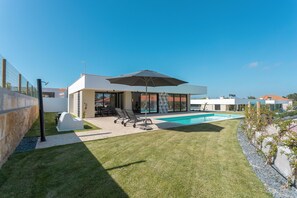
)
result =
(273, 181)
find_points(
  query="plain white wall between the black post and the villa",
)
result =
(55, 104)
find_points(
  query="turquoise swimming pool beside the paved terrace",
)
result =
(202, 118)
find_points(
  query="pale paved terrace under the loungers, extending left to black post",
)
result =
(109, 129)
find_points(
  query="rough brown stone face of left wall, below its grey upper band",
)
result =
(13, 126)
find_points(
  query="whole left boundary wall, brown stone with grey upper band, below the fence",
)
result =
(17, 114)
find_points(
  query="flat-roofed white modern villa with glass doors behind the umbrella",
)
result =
(90, 93)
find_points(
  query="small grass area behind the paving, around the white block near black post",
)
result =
(50, 126)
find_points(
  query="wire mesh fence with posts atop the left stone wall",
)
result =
(13, 80)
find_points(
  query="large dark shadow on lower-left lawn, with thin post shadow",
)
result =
(64, 171)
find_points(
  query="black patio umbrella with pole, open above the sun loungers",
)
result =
(146, 78)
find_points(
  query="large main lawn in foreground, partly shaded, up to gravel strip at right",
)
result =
(202, 160)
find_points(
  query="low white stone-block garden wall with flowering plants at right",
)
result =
(275, 137)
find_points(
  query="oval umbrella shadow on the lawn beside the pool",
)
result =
(204, 127)
